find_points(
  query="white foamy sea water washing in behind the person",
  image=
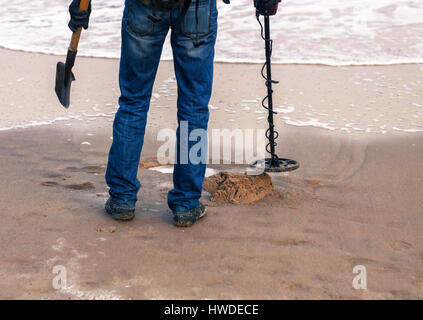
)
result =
(332, 32)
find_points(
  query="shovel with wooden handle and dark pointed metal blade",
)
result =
(64, 75)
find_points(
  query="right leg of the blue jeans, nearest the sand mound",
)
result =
(194, 73)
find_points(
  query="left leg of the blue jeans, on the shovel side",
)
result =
(142, 43)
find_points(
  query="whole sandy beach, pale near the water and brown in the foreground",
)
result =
(356, 199)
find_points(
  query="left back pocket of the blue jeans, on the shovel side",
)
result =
(138, 21)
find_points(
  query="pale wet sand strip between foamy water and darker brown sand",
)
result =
(349, 100)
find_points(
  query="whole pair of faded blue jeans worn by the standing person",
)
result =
(142, 43)
